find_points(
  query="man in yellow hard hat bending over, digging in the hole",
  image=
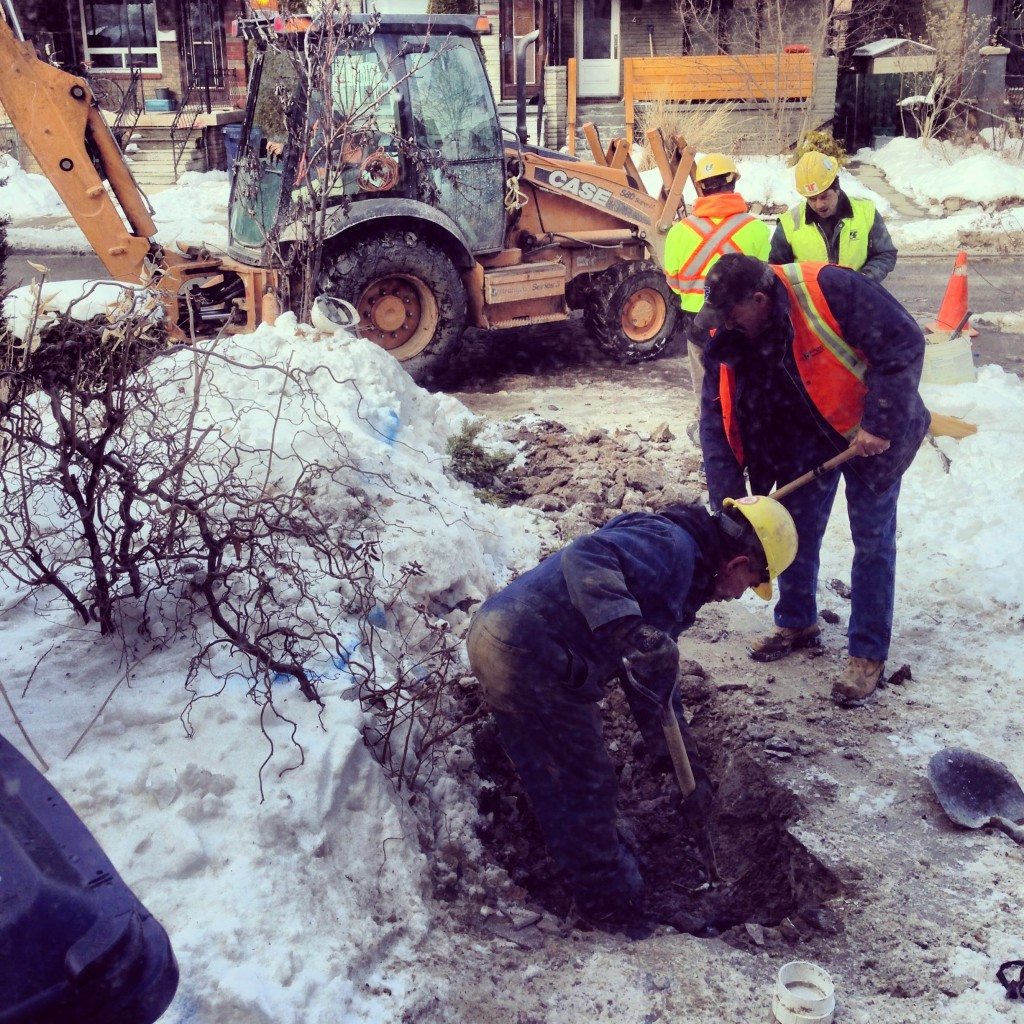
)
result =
(611, 607)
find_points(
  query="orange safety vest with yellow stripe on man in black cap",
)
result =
(832, 371)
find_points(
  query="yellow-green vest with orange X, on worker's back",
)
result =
(719, 225)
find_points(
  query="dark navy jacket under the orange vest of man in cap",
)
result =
(783, 433)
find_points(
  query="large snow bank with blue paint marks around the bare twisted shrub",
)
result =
(309, 907)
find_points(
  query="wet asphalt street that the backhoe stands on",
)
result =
(563, 355)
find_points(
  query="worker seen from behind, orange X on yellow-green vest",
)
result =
(721, 223)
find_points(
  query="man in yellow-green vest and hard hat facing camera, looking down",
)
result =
(831, 228)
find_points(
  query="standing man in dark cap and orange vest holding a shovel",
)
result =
(806, 361)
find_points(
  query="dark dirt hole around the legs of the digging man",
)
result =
(771, 880)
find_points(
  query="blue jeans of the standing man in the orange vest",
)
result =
(873, 583)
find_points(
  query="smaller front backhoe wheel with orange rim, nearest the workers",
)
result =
(631, 311)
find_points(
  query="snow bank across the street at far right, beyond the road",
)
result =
(933, 173)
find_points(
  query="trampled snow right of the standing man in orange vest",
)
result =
(960, 535)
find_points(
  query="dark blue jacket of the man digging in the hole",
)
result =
(638, 565)
